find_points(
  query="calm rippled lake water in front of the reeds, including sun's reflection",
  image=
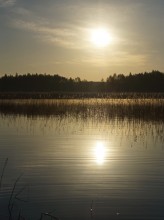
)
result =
(70, 163)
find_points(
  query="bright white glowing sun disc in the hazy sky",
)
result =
(100, 37)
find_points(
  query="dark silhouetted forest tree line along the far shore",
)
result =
(140, 82)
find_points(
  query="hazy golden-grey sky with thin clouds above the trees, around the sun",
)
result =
(55, 37)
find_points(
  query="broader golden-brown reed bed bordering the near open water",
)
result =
(136, 108)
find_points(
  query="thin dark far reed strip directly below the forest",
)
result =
(79, 95)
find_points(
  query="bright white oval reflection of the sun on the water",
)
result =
(100, 152)
